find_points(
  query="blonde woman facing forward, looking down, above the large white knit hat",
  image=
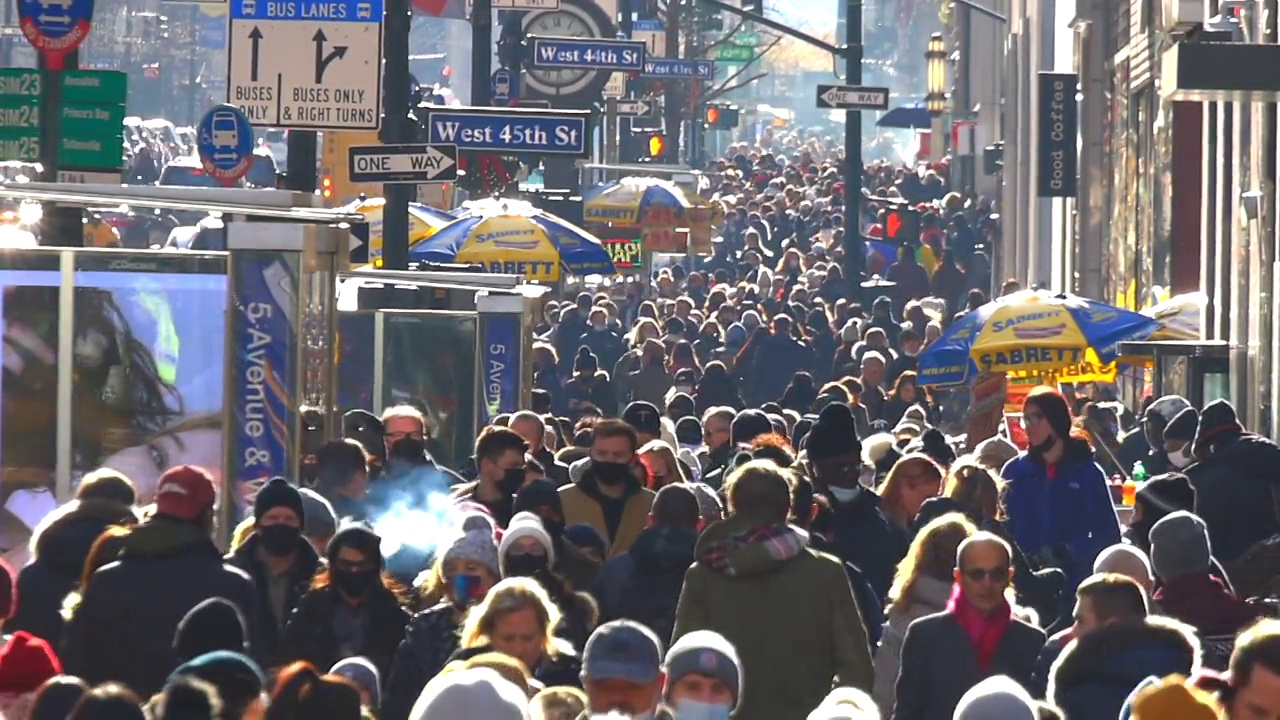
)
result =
(519, 618)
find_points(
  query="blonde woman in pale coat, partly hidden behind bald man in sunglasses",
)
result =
(921, 587)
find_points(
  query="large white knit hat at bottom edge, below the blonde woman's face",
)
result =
(477, 692)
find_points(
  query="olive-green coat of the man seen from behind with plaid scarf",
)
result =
(740, 582)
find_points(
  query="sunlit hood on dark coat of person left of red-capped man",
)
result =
(66, 536)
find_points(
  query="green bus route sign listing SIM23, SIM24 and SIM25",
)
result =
(93, 119)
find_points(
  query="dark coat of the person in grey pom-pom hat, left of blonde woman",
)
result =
(431, 640)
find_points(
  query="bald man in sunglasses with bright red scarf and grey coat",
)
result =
(976, 637)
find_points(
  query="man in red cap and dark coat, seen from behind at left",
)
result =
(125, 626)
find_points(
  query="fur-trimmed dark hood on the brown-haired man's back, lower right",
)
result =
(1124, 654)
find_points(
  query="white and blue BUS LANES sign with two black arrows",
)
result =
(309, 65)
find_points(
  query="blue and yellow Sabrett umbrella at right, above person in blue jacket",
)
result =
(1031, 331)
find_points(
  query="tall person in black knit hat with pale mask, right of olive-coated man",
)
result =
(862, 534)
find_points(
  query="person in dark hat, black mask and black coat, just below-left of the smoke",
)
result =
(353, 609)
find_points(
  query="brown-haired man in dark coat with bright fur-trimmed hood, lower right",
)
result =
(1117, 646)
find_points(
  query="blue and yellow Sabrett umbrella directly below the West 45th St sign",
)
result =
(513, 239)
